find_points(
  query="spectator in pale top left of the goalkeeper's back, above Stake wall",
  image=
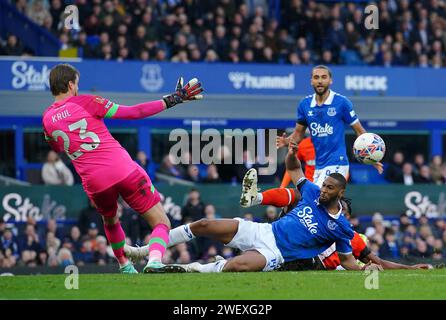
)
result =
(55, 172)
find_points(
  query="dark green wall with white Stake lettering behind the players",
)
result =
(65, 203)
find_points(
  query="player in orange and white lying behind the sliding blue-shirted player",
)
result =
(329, 259)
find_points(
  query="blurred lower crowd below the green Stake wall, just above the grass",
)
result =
(34, 244)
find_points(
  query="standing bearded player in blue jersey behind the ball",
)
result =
(325, 113)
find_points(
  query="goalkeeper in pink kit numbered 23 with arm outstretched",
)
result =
(74, 124)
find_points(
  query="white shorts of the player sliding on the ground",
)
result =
(260, 237)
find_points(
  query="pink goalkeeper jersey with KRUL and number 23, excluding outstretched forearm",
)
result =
(75, 125)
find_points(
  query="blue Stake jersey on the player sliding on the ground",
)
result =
(309, 229)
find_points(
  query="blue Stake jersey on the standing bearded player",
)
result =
(326, 124)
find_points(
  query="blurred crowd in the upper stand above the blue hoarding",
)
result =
(411, 33)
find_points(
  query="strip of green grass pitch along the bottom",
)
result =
(401, 284)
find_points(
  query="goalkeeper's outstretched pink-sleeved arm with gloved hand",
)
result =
(191, 91)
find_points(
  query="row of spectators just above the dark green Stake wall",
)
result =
(400, 170)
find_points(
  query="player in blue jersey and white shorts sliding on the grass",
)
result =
(309, 229)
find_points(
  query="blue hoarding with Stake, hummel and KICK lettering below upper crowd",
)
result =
(220, 78)
